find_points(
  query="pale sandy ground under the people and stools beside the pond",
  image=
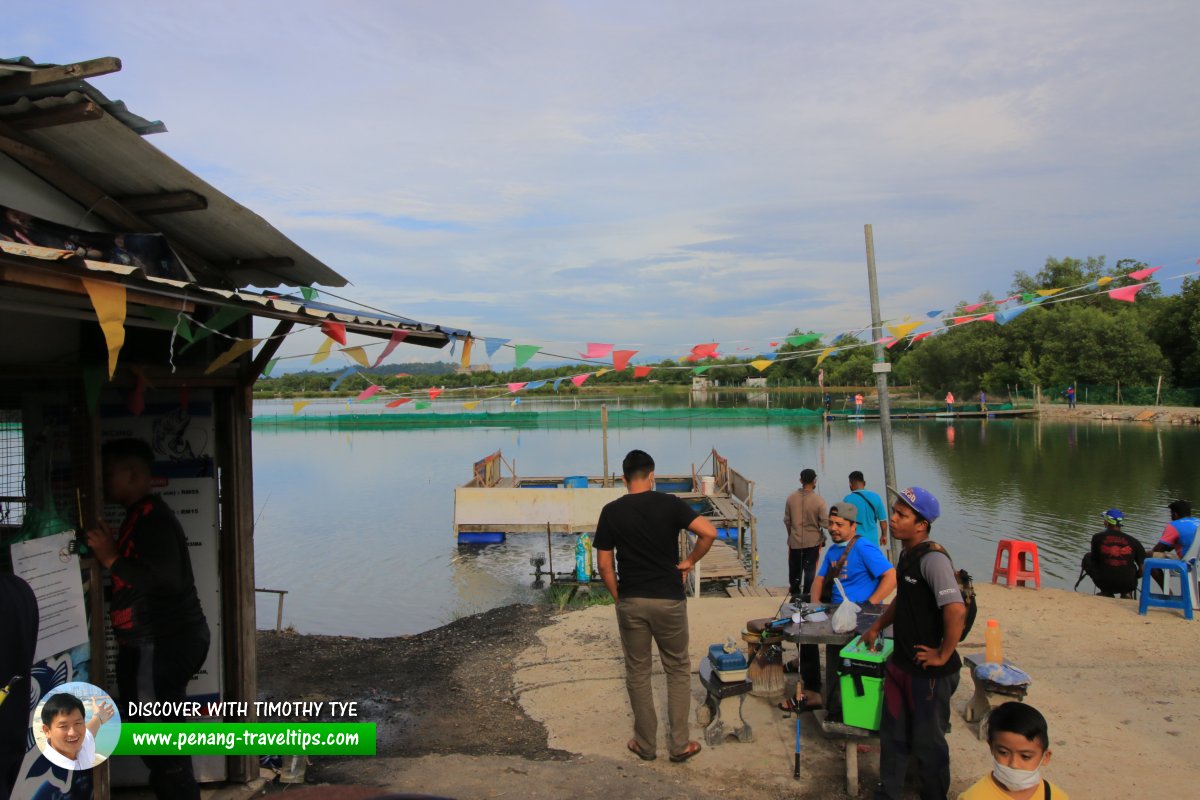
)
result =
(1117, 688)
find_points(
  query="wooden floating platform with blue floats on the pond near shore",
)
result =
(494, 506)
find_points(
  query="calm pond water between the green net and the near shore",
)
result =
(358, 526)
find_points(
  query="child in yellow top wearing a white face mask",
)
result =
(1021, 747)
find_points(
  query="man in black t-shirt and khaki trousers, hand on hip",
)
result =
(644, 531)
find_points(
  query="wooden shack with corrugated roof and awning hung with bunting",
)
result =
(123, 284)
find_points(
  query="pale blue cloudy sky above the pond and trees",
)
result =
(662, 175)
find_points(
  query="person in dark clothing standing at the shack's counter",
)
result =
(161, 634)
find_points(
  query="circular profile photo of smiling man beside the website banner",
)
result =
(77, 726)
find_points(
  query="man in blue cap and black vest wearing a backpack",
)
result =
(928, 618)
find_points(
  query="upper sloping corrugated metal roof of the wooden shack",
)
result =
(111, 154)
